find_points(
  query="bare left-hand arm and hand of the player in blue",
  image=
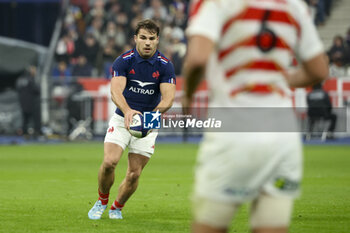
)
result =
(118, 84)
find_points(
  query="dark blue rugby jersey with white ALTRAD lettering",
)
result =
(143, 78)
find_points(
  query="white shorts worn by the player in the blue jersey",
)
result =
(118, 134)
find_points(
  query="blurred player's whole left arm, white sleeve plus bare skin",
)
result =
(203, 31)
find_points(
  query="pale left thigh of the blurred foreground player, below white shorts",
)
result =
(213, 213)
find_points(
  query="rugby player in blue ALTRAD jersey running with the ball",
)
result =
(143, 80)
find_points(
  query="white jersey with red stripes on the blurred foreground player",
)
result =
(256, 42)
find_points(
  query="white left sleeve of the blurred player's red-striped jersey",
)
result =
(206, 20)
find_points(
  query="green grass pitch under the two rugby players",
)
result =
(50, 188)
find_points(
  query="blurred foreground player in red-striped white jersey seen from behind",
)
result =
(245, 49)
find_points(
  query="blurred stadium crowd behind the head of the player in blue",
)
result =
(96, 32)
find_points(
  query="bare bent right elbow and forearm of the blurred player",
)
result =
(311, 72)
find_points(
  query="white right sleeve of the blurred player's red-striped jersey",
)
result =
(310, 44)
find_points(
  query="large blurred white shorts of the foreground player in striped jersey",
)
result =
(238, 167)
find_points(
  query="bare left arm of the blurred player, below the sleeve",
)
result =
(199, 50)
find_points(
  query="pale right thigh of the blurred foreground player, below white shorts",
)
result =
(271, 212)
